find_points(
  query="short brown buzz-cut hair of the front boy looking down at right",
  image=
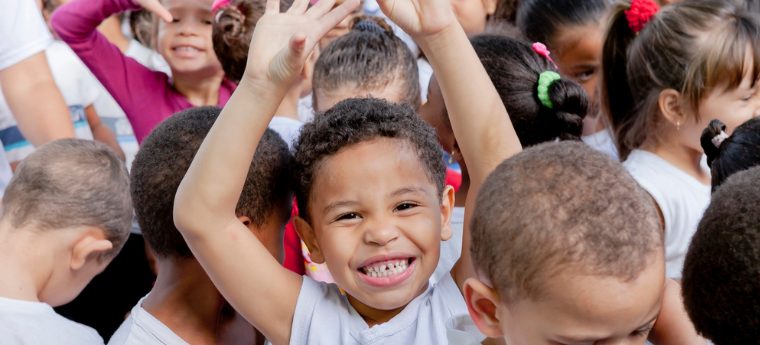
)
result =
(560, 205)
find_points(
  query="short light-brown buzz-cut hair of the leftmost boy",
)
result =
(71, 183)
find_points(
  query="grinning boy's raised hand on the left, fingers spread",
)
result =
(282, 42)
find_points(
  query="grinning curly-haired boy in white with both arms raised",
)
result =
(371, 195)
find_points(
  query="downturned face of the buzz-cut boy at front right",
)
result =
(581, 309)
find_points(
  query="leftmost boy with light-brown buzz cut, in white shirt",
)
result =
(66, 214)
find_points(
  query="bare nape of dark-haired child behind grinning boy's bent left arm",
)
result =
(186, 301)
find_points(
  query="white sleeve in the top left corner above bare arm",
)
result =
(23, 32)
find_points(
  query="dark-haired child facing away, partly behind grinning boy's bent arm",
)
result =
(167, 315)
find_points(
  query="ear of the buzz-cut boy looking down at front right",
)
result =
(482, 303)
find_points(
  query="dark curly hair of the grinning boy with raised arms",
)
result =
(358, 120)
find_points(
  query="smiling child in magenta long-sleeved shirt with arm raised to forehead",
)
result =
(182, 37)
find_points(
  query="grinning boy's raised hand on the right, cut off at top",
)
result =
(419, 18)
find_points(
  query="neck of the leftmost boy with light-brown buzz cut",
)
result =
(23, 271)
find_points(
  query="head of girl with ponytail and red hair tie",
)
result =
(666, 77)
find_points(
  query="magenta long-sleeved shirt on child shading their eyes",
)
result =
(147, 97)
